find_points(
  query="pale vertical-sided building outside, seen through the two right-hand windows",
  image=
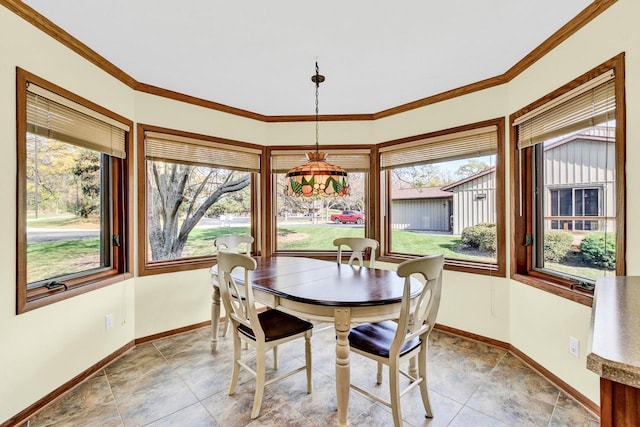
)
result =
(579, 183)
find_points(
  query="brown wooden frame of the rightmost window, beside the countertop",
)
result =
(522, 199)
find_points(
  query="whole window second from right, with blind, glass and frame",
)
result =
(442, 194)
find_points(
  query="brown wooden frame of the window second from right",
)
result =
(383, 230)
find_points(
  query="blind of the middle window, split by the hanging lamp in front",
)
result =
(356, 160)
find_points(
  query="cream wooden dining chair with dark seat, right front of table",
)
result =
(392, 342)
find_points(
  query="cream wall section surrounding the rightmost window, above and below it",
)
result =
(540, 323)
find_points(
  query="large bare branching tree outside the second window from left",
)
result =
(179, 196)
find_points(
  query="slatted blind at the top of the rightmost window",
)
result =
(588, 105)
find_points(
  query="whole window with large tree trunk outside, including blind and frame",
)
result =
(193, 189)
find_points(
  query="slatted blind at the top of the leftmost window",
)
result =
(53, 116)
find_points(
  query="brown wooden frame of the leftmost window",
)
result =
(121, 216)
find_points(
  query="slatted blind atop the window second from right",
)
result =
(459, 145)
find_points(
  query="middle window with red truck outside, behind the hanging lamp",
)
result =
(311, 224)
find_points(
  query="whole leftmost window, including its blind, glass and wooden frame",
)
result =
(72, 228)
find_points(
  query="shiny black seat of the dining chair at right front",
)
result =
(376, 338)
